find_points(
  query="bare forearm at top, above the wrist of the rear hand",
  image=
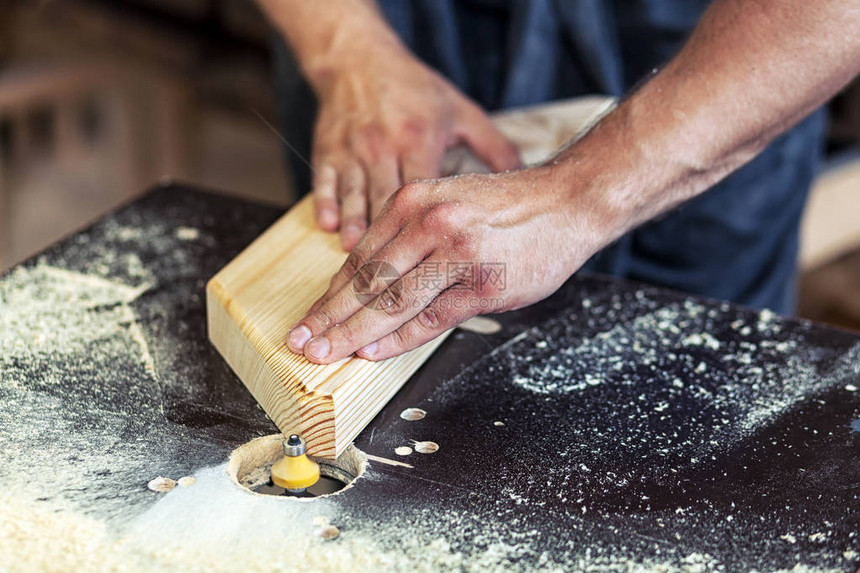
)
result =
(327, 36)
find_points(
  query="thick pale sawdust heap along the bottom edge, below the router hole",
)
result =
(216, 527)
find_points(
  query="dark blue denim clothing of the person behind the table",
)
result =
(738, 241)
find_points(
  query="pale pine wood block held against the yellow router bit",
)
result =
(251, 304)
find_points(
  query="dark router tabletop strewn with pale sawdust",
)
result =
(612, 427)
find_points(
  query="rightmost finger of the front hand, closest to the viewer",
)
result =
(446, 311)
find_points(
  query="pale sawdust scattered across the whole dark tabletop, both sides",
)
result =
(73, 446)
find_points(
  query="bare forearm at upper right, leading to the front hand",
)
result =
(751, 70)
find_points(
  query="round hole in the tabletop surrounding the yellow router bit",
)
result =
(251, 464)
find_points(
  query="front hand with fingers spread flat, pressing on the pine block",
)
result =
(463, 246)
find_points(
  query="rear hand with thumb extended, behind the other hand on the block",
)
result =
(384, 120)
